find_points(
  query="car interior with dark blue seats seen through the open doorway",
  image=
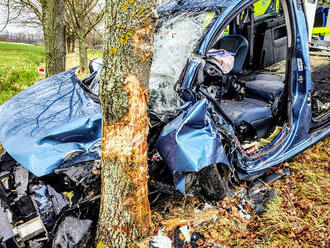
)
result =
(250, 98)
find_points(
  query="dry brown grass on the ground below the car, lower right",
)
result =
(297, 215)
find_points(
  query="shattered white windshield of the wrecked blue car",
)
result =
(175, 40)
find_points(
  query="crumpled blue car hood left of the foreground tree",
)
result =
(49, 121)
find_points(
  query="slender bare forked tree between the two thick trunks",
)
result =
(82, 17)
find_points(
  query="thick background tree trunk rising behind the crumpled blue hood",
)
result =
(54, 35)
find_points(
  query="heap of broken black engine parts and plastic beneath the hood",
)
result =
(32, 209)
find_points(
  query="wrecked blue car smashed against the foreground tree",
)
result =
(214, 123)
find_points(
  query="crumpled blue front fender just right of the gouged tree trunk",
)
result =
(191, 142)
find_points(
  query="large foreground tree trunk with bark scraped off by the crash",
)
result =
(125, 212)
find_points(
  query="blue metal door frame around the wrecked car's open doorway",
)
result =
(296, 135)
